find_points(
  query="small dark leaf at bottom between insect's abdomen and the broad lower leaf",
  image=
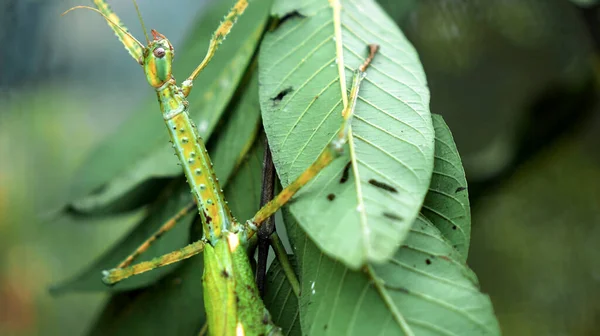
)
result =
(281, 301)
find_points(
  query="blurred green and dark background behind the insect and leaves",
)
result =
(516, 80)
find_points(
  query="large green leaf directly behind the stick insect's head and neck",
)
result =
(140, 148)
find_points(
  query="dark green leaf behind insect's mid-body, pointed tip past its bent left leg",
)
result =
(228, 149)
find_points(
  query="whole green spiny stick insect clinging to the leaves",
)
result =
(231, 298)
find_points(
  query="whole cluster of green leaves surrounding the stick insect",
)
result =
(385, 254)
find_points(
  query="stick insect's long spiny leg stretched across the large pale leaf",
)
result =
(330, 152)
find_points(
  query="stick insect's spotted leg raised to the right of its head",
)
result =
(218, 37)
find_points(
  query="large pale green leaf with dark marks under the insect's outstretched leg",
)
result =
(358, 212)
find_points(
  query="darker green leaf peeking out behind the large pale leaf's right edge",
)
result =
(447, 202)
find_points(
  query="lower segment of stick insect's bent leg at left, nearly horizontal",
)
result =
(115, 275)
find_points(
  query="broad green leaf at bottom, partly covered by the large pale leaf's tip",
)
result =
(425, 289)
